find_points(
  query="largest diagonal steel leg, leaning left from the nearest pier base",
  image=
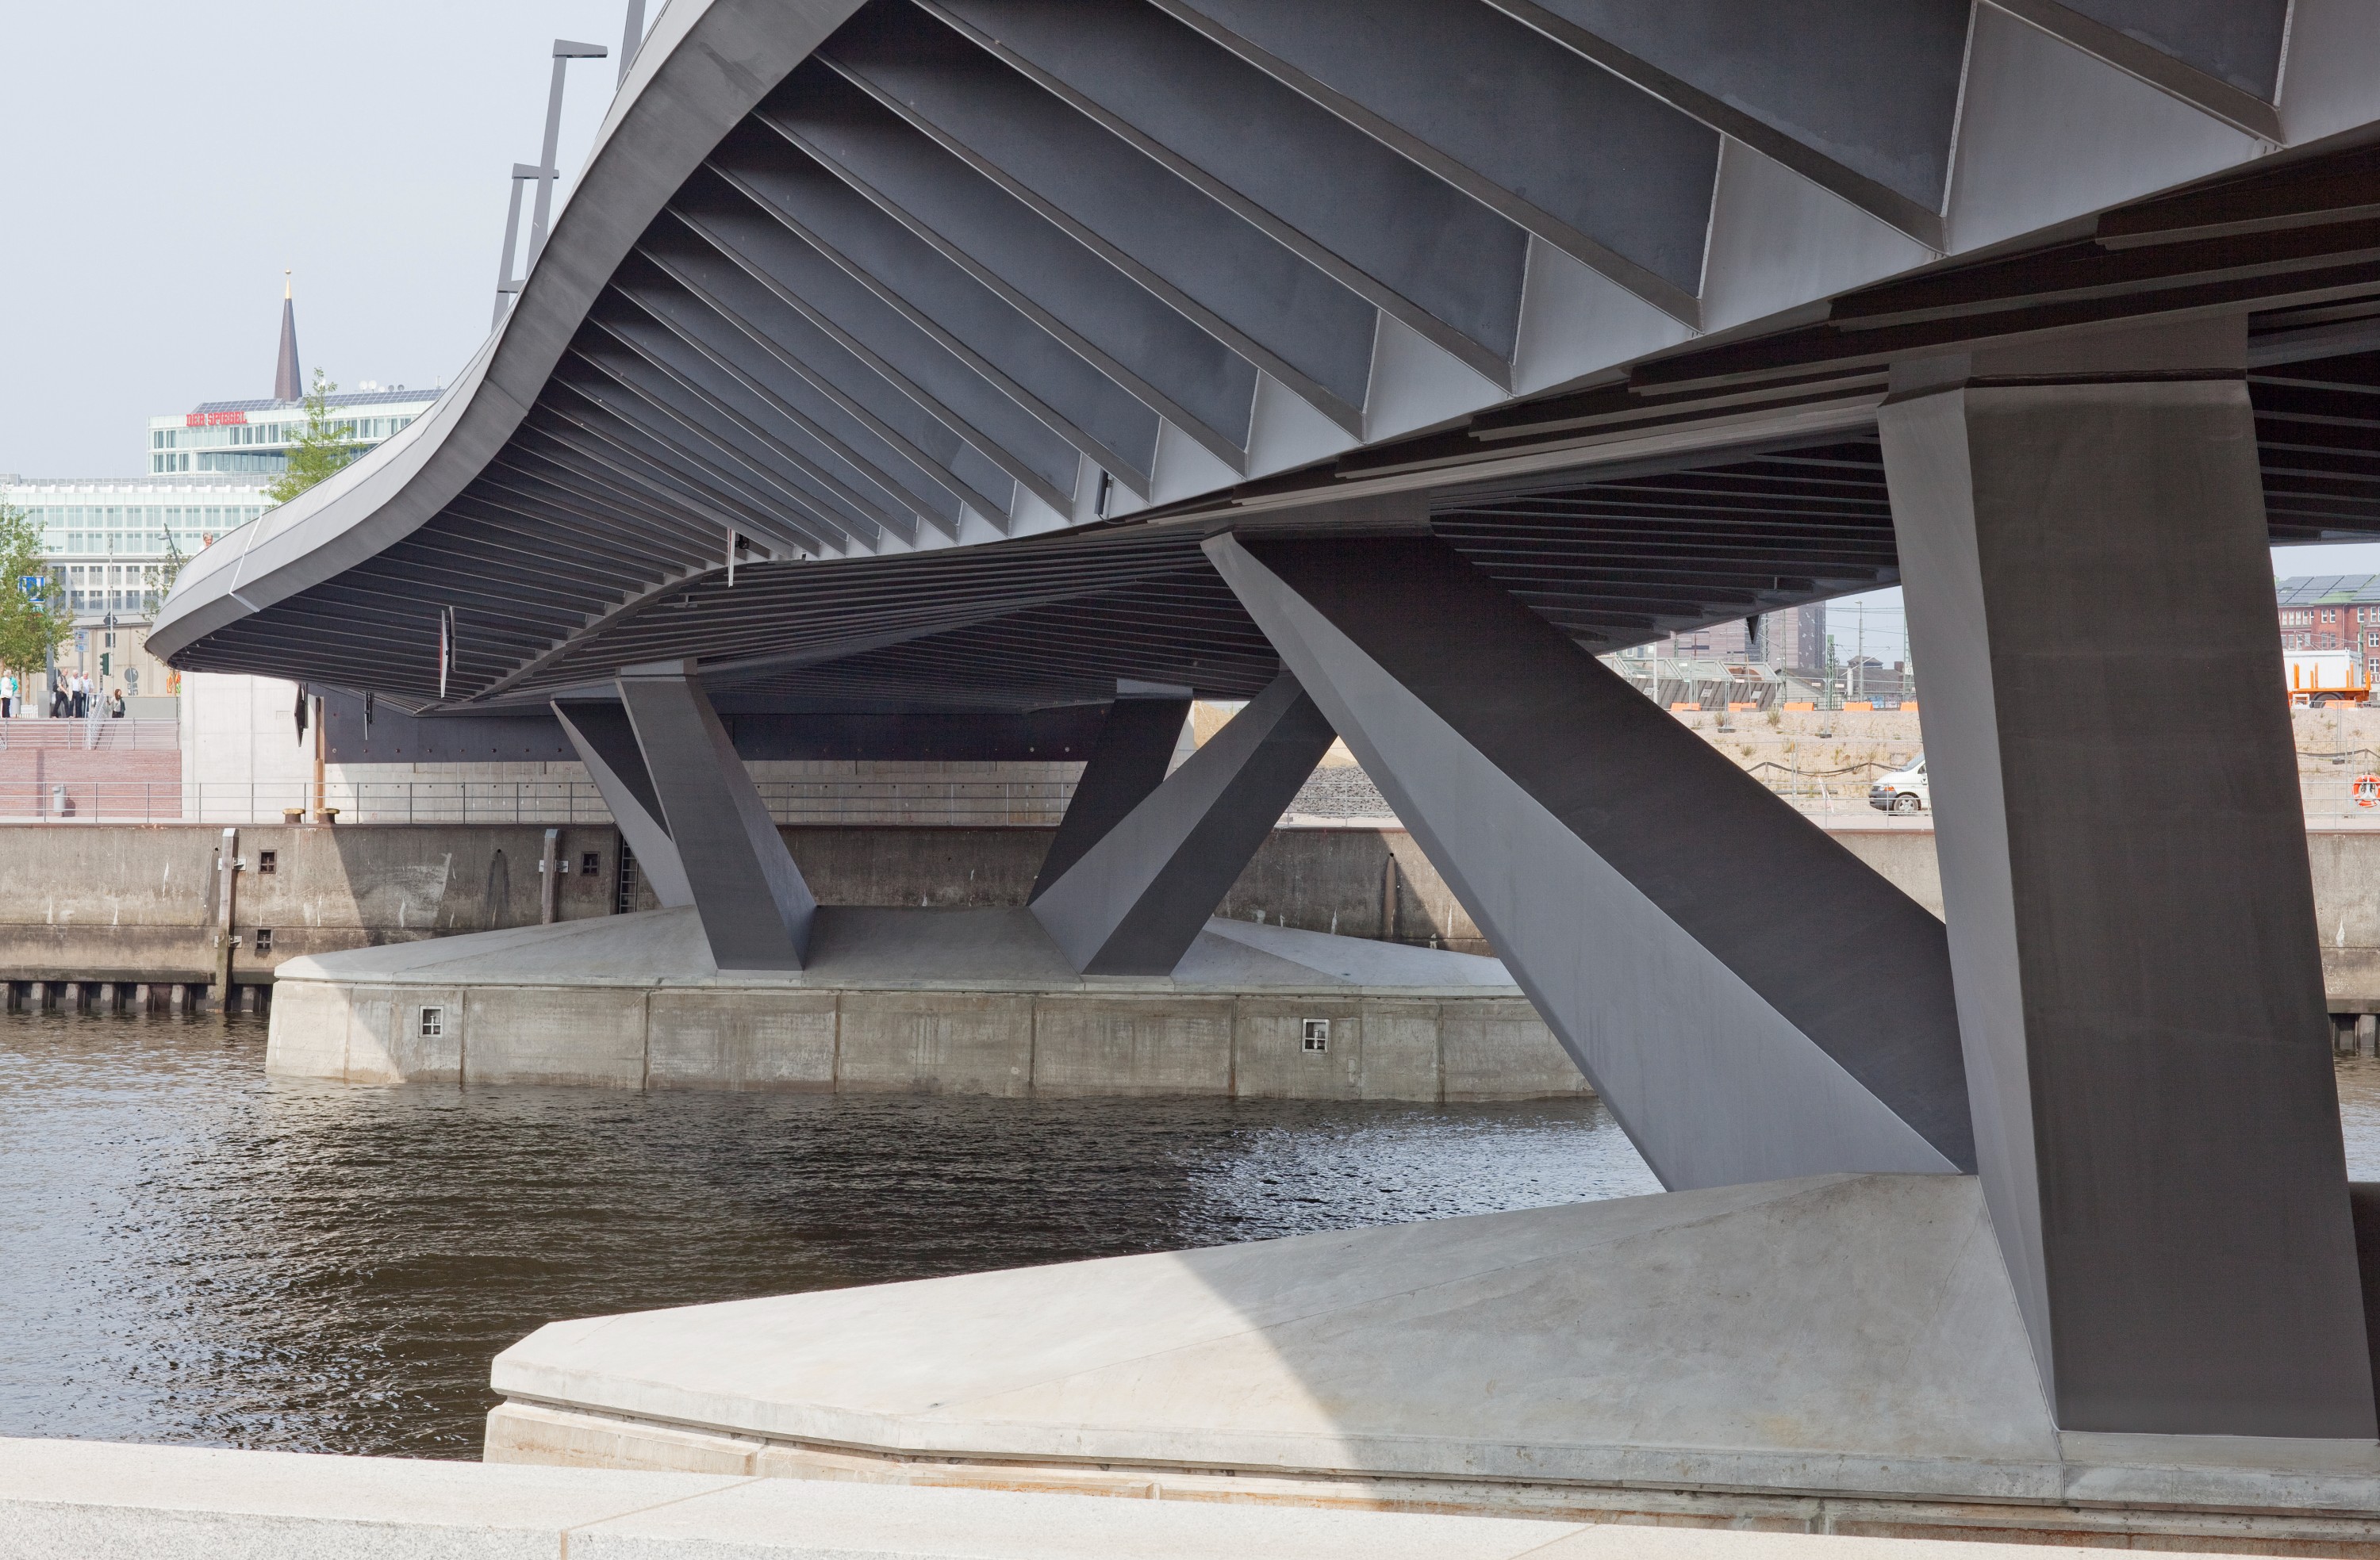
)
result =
(1748, 998)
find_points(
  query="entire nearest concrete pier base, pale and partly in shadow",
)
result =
(1834, 1354)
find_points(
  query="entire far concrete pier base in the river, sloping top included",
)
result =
(917, 1000)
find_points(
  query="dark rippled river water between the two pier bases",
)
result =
(192, 1252)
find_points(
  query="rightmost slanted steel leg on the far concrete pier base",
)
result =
(1136, 900)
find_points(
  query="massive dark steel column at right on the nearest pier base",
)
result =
(2124, 867)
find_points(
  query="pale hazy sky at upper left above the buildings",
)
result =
(165, 165)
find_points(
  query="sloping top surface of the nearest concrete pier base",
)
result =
(1836, 1333)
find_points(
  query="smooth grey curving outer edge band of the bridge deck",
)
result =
(682, 101)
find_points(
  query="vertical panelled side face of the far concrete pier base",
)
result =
(922, 1043)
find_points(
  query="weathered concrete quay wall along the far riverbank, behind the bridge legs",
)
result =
(137, 902)
